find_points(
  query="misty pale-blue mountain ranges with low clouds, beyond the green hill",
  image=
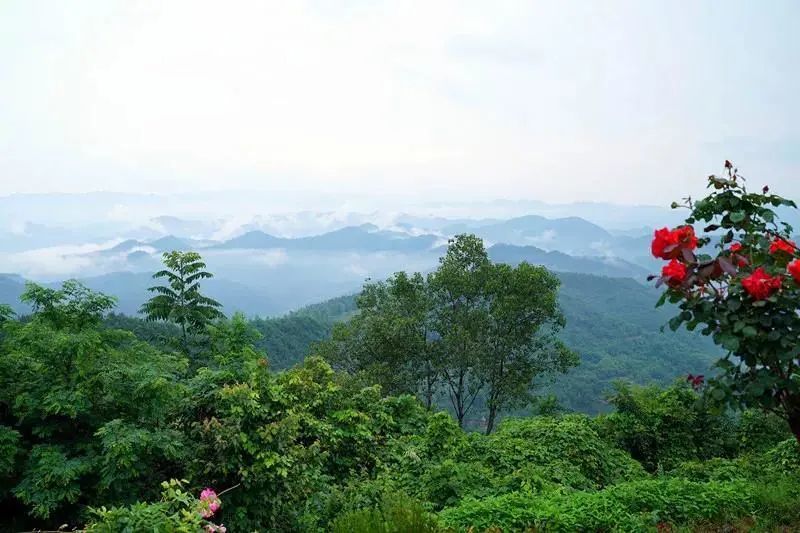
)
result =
(270, 260)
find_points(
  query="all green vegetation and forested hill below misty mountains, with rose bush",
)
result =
(478, 397)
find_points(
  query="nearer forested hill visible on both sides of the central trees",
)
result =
(611, 323)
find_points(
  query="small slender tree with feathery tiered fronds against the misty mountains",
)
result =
(180, 301)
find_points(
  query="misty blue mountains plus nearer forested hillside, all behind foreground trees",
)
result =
(272, 262)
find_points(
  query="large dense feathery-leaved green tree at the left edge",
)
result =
(88, 408)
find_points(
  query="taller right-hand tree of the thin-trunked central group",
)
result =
(497, 326)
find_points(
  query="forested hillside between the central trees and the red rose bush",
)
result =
(613, 325)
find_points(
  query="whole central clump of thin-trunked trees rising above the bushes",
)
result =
(479, 331)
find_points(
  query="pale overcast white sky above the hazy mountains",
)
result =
(627, 102)
